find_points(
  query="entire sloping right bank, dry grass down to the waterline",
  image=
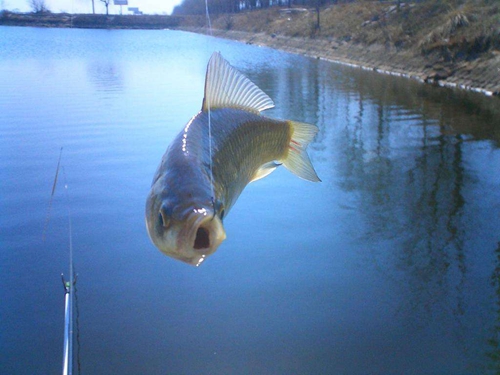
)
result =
(452, 43)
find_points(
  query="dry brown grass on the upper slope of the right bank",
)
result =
(448, 27)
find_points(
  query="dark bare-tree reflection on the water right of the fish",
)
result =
(409, 153)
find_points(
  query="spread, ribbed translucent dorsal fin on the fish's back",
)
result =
(226, 87)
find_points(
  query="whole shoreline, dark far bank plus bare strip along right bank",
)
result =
(478, 73)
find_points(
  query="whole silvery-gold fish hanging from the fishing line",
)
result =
(223, 148)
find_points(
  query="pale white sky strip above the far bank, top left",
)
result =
(85, 6)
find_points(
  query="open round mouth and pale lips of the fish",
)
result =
(201, 236)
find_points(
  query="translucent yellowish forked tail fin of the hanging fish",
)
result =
(298, 161)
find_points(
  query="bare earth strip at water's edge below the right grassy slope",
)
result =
(481, 76)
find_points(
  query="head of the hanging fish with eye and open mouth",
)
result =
(183, 226)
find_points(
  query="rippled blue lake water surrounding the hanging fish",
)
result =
(391, 265)
